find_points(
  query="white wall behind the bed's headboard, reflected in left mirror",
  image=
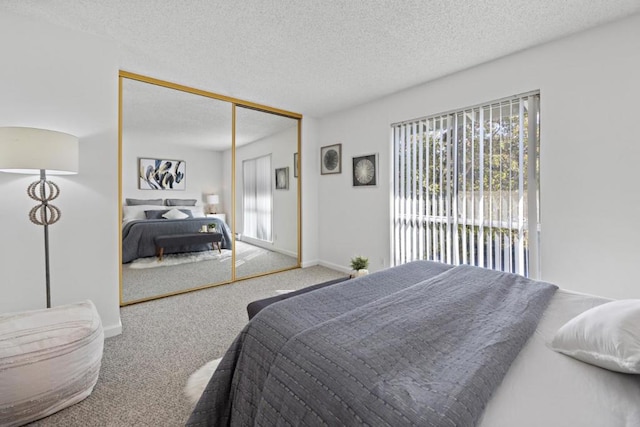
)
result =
(203, 170)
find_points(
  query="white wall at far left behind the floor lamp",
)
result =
(57, 79)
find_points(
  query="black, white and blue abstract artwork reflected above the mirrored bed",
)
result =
(160, 174)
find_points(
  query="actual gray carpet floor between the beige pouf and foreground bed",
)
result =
(145, 369)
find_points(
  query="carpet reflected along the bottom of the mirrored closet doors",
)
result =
(149, 282)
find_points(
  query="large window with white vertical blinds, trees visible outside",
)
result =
(466, 187)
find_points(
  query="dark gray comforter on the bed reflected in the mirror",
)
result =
(138, 236)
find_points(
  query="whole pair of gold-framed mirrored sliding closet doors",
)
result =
(208, 191)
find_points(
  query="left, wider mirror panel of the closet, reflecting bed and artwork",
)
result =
(162, 123)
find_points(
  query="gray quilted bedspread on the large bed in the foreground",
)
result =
(421, 344)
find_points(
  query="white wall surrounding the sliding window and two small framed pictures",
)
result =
(589, 153)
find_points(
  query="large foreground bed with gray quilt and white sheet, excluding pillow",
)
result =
(418, 344)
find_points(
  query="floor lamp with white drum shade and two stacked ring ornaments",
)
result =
(40, 151)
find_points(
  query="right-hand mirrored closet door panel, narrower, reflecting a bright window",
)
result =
(266, 192)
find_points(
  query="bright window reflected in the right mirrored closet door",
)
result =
(257, 198)
